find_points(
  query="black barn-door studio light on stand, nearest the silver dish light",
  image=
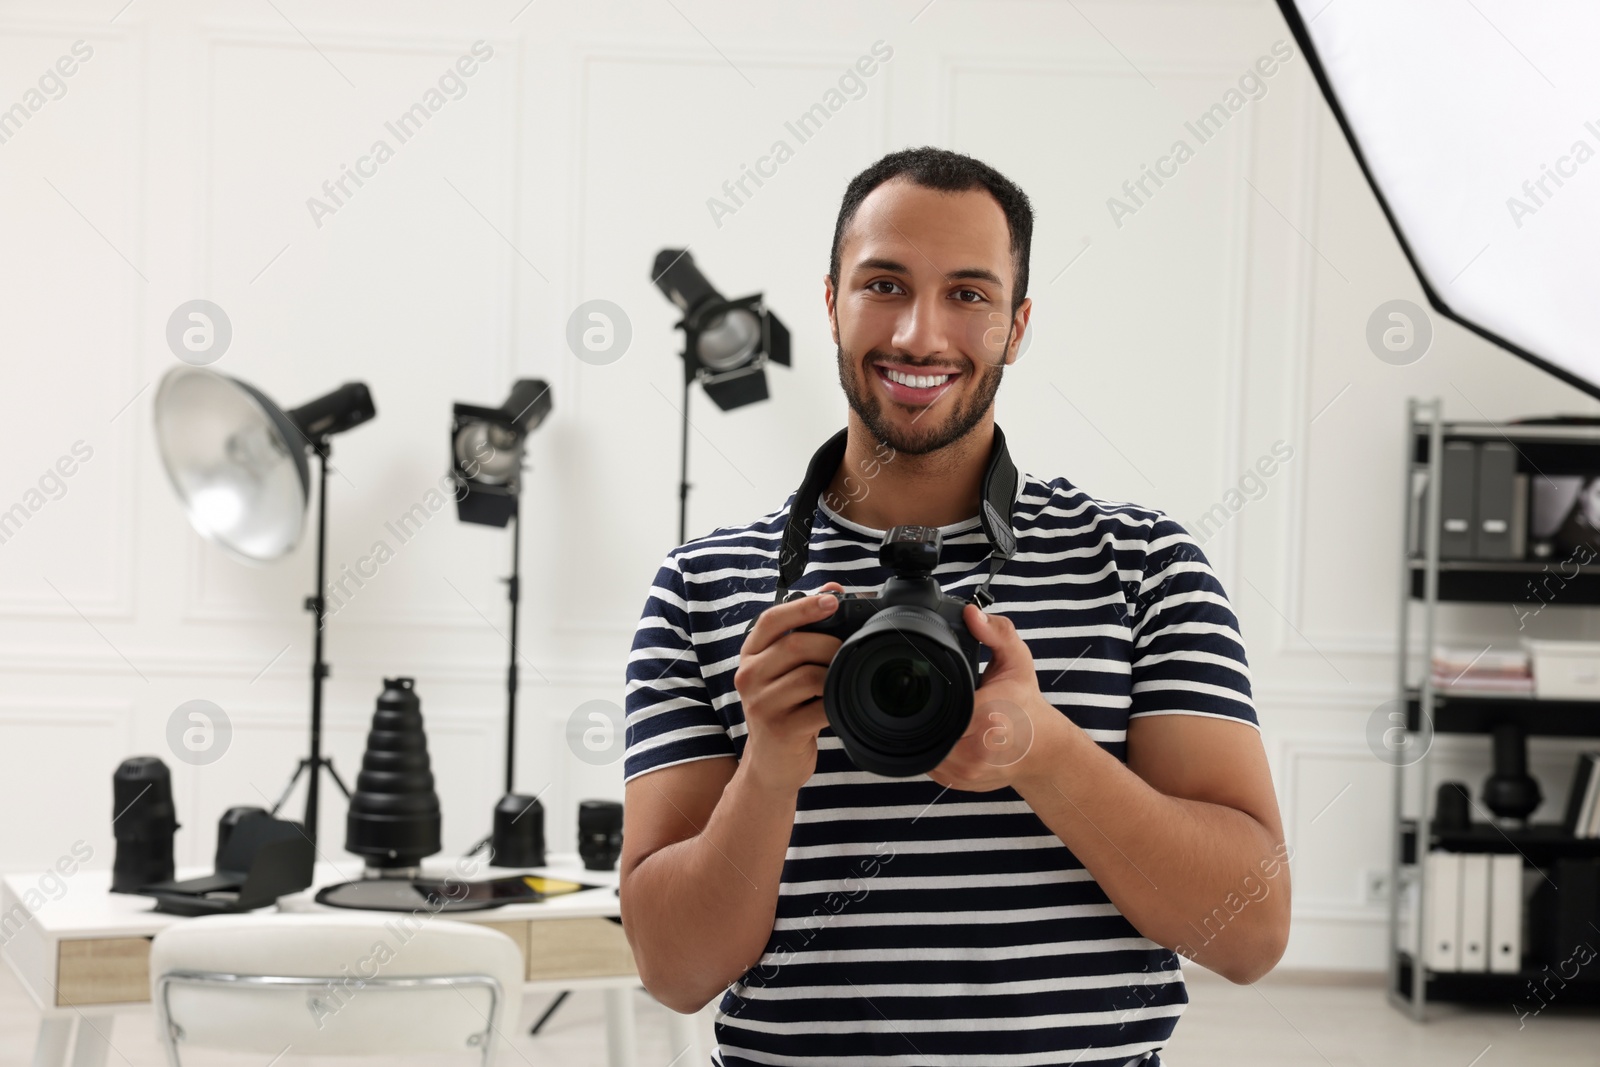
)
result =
(487, 455)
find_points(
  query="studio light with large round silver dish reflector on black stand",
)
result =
(241, 468)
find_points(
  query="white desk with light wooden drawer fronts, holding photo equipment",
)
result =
(84, 956)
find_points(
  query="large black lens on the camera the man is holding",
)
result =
(900, 692)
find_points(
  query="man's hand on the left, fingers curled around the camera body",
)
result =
(780, 682)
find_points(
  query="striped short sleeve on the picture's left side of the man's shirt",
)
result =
(670, 714)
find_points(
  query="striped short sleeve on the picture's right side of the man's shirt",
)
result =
(1188, 652)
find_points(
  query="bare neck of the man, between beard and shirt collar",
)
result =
(882, 489)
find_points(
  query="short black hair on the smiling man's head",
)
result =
(948, 172)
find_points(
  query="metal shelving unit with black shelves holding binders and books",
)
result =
(1426, 581)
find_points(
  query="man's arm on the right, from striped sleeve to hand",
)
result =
(1186, 837)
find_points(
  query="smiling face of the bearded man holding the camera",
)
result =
(922, 314)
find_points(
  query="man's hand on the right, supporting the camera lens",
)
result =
(1012, 721)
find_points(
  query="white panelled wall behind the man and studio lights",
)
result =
(1175, 342)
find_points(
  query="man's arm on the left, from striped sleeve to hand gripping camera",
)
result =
(705, 841)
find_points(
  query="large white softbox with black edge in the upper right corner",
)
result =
(1482, 154)
